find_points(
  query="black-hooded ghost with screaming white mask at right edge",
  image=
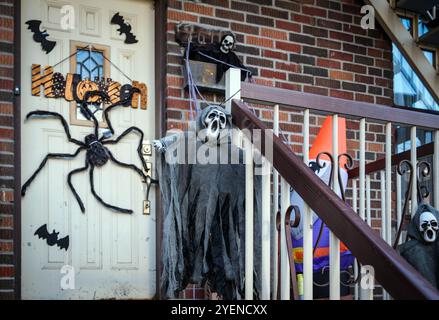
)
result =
(421, 249)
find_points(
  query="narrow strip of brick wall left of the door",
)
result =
(7, 275)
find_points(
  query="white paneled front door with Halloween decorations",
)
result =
(110, 254)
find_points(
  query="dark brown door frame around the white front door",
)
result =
(160, 14)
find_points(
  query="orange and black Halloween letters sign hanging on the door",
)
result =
(72, 88)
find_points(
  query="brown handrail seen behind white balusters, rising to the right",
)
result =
(380, 164)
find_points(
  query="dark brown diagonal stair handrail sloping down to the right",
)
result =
(398, 277)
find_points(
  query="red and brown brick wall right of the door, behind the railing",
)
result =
(314, 46)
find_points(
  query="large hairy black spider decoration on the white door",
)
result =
(97, 154)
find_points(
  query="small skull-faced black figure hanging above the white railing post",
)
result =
(223, 56)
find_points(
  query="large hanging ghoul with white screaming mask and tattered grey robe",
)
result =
(204, 208)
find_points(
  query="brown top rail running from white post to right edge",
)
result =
(347, 108)
